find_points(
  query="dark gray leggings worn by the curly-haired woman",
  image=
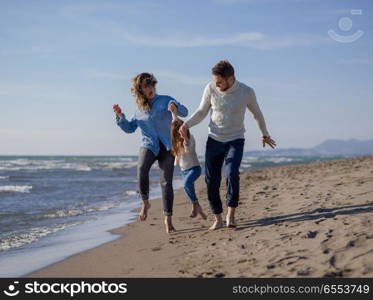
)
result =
(166, 164)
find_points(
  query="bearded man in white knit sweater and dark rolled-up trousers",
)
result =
(227, 99)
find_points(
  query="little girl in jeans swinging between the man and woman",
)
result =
(186, 157)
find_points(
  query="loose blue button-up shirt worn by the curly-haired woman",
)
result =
(155, 124)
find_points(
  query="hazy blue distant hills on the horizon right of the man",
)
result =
(352, 147)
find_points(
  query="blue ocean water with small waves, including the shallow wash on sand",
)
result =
(54, 206)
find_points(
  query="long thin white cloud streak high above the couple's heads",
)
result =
(254, 40)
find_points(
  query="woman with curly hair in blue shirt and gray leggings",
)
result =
(153, 117)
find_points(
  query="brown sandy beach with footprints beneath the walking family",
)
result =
(310, 220)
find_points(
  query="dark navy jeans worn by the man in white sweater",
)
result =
(231, 154)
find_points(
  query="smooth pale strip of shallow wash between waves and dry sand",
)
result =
(73, 240)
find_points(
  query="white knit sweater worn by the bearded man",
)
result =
(228, 111)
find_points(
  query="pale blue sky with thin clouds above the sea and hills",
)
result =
(64, 63)
